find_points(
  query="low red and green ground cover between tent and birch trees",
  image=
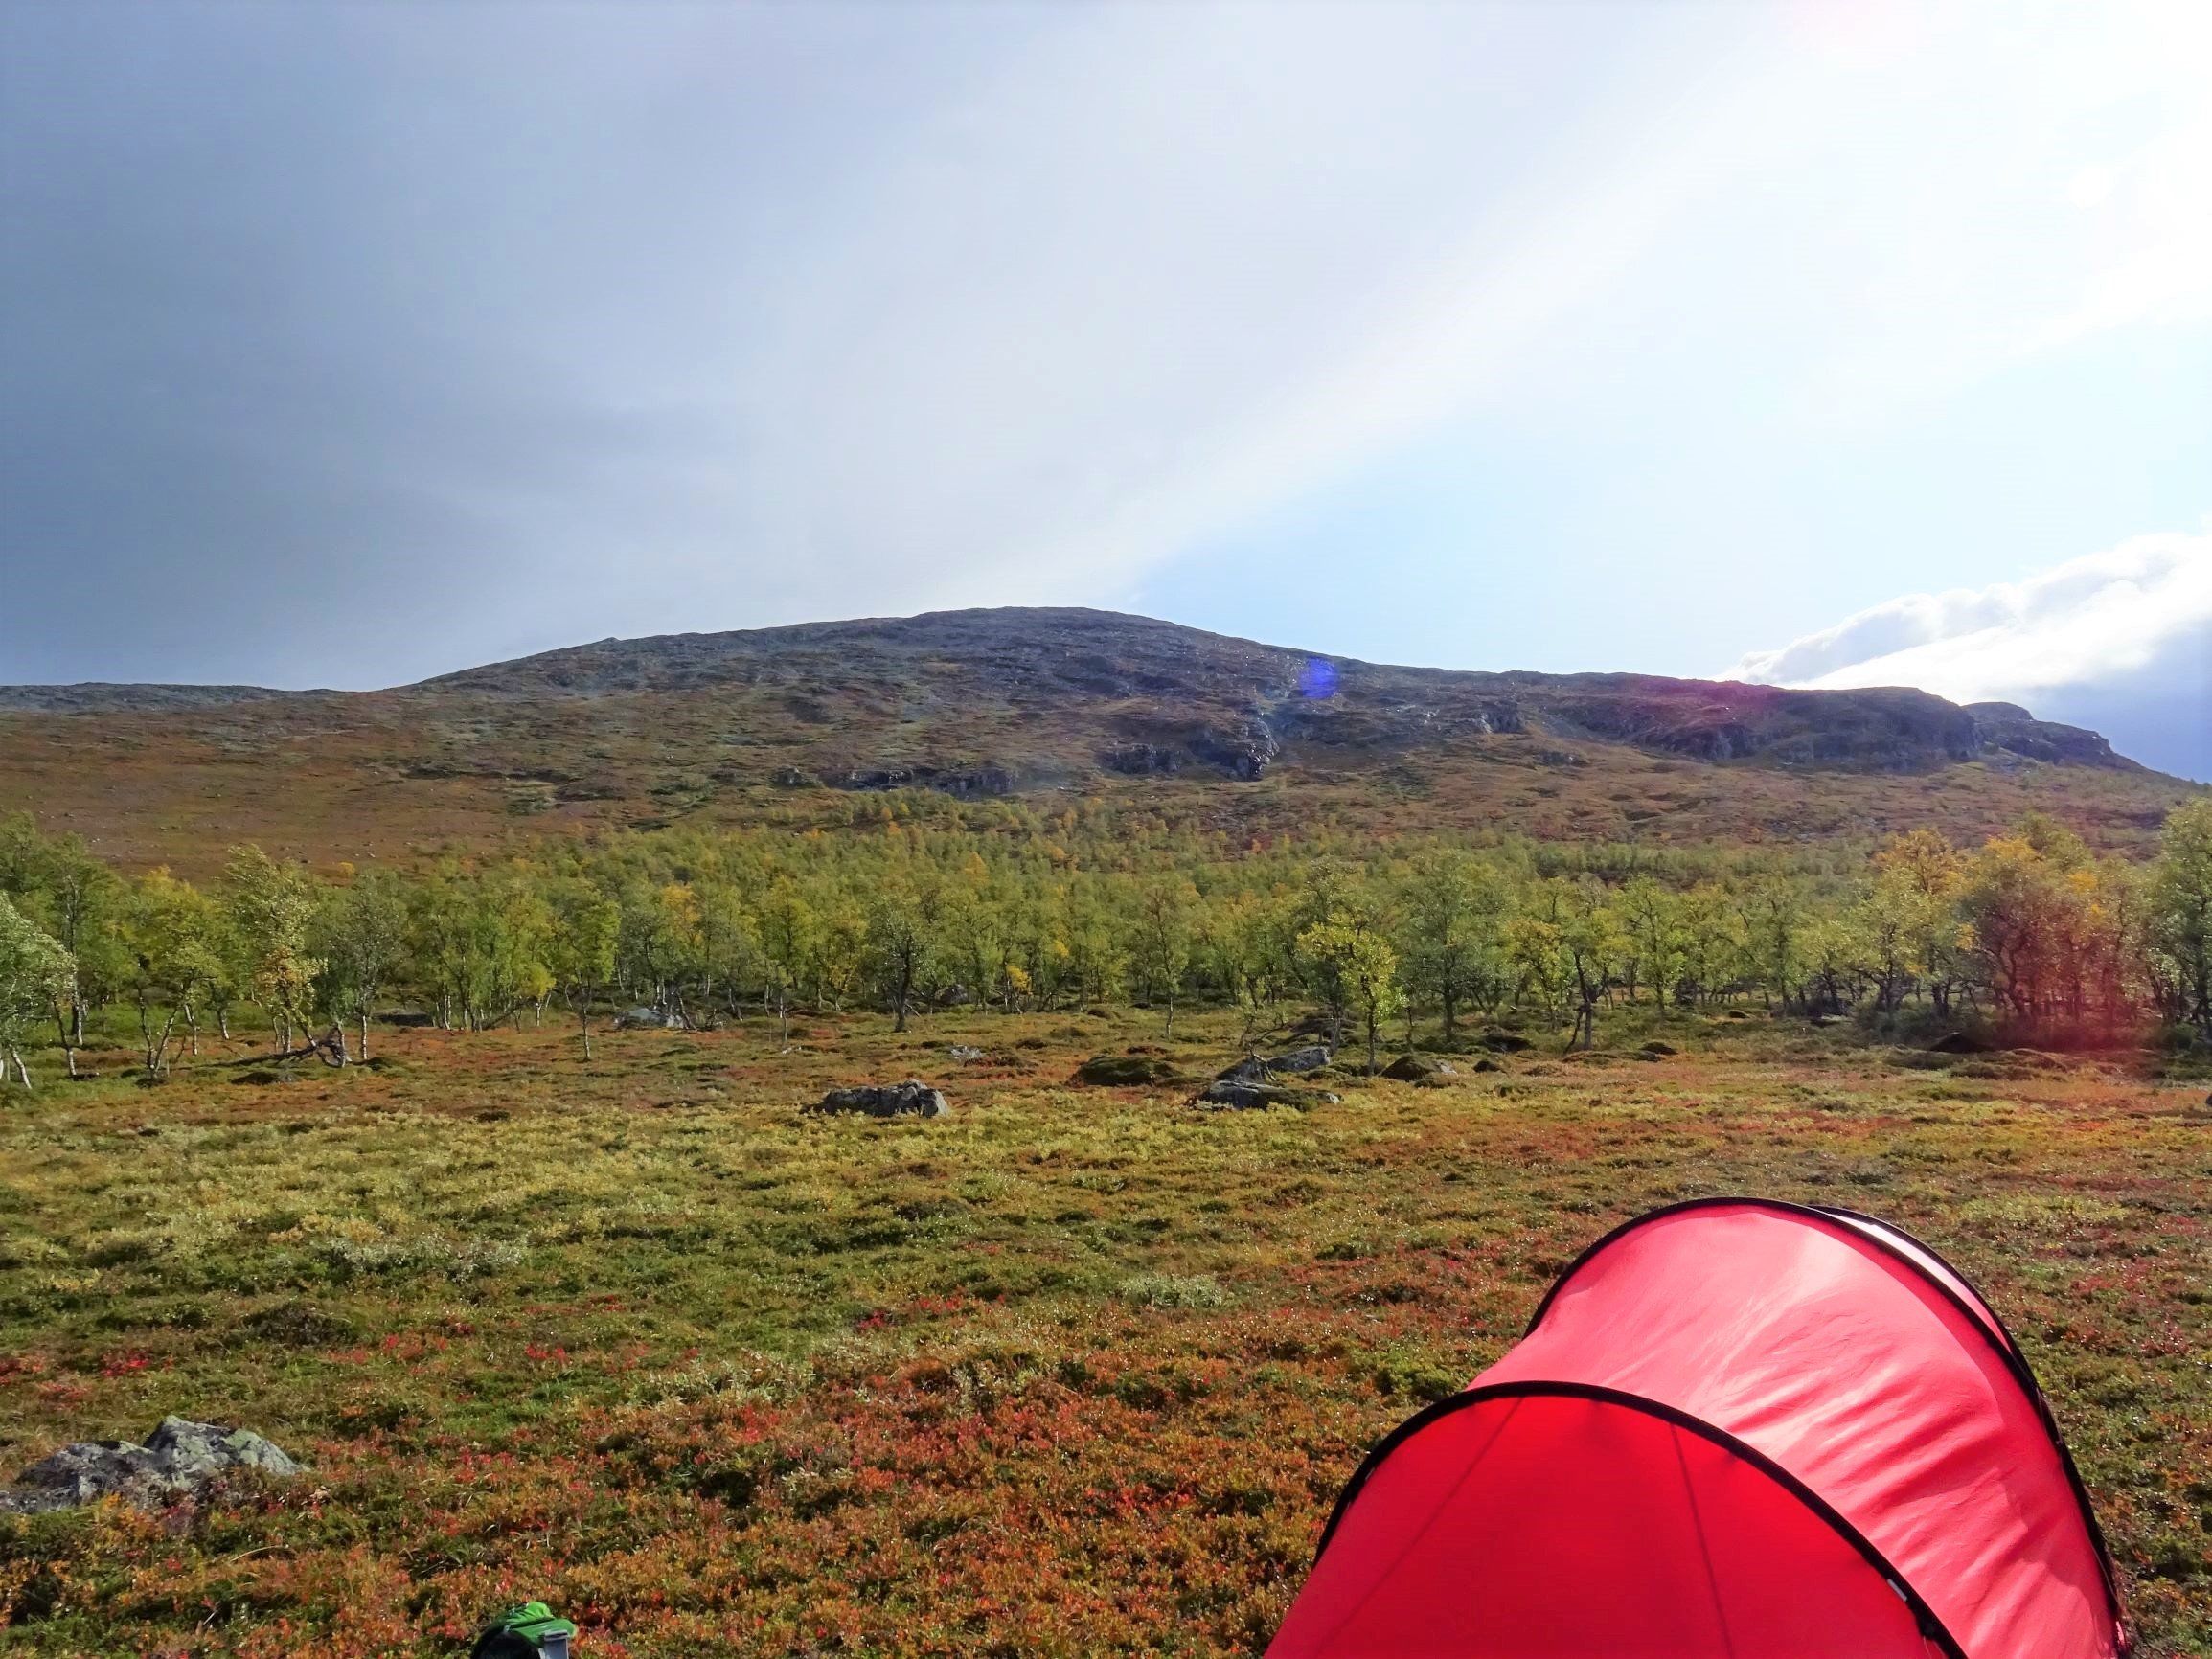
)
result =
(1074, 1370)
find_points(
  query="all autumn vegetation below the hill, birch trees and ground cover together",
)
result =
(483, 1189)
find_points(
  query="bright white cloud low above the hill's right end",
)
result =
(2120, 640)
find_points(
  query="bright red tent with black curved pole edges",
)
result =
(1735, 1430)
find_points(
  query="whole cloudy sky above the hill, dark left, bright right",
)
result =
(1822, 344)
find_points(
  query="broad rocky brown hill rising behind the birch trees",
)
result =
(791, 722)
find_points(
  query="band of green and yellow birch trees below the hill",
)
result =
(1012, 908)
